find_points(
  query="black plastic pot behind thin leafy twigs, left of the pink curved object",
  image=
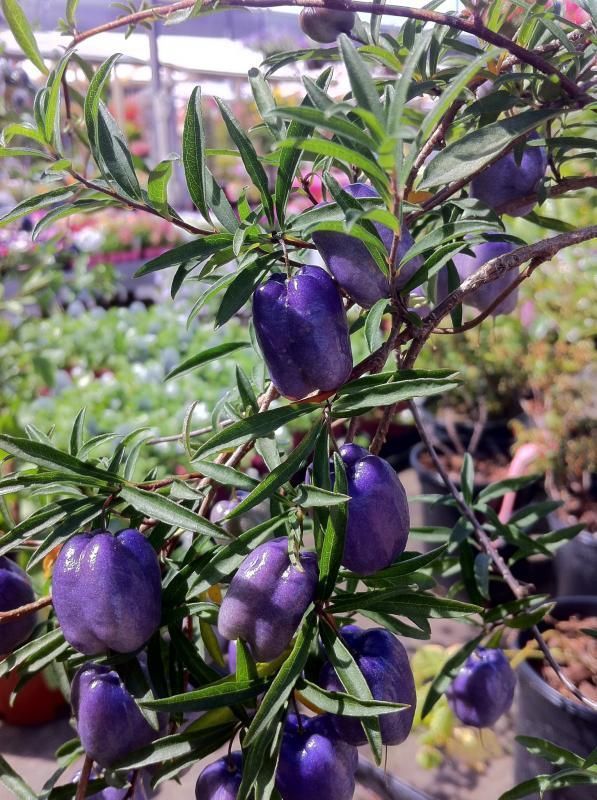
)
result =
(537, 569)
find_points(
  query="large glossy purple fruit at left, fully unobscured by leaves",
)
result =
(107, 591)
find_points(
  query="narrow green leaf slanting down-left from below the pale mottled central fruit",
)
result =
(284, 681)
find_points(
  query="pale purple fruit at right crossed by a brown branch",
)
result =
(483, 297)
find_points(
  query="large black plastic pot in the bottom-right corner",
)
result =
(546, 714)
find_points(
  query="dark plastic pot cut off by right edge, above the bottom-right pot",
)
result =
(576, 562)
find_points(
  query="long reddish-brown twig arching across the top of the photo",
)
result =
(425, 15)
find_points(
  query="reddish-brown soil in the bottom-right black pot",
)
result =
(576, 652)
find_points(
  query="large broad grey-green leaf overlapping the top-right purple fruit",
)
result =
(479, 148)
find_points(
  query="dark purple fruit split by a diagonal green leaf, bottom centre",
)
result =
(385, 666)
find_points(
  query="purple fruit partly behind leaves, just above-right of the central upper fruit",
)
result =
(351, 264)
